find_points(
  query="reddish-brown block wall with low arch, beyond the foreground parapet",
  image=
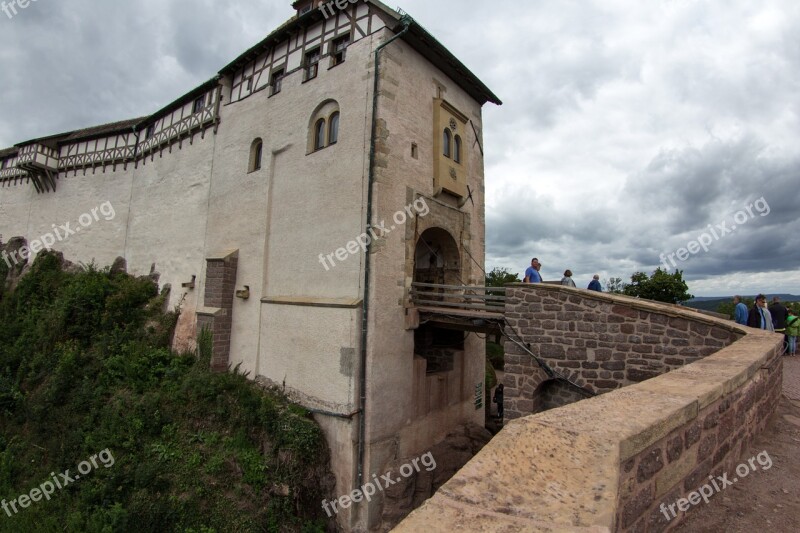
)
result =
(600, 341)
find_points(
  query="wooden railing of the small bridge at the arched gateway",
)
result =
(463, 297)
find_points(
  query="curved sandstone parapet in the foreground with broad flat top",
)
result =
(608, 463)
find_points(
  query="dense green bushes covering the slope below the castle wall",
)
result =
(85, 366)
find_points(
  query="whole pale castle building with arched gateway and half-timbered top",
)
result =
(290, 202)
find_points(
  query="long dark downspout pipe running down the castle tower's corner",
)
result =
(362, 428)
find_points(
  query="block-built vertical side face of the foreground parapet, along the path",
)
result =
(711, 443)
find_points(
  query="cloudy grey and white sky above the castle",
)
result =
(629, 129)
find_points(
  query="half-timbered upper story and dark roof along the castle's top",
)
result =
(315, 39)
